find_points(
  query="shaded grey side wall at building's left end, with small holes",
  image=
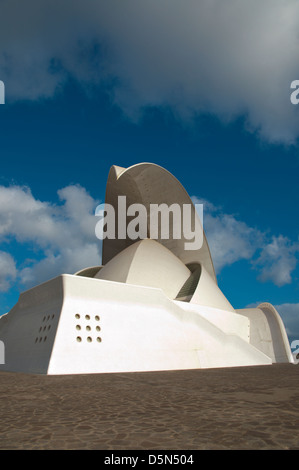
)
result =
(29, 329)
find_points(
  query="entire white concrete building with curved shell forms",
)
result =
(151, 306)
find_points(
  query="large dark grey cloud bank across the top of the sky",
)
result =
(228, 58)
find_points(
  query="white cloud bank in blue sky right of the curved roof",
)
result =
(231, 240)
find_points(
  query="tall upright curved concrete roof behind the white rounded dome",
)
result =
(148, 183)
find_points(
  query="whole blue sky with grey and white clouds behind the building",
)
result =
(200, 87)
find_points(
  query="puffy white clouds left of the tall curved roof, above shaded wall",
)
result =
(63, 233)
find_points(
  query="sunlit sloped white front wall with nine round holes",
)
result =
(112, 327)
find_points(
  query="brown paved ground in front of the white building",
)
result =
(237, 408)
